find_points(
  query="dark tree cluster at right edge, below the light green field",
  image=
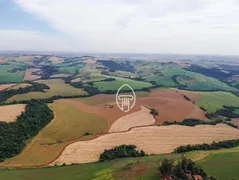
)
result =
(227, 111)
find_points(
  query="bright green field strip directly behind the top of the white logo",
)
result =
(103, 86)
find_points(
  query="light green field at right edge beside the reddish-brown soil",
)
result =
(213, 101)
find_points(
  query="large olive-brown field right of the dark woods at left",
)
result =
(68, 125)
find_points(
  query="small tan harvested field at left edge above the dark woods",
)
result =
(9, 113)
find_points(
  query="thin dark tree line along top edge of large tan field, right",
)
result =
(195, 122)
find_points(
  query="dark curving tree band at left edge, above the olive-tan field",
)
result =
(39, 87)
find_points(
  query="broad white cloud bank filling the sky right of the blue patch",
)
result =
(143, 26)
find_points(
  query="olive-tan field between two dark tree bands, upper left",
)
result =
(57, 87)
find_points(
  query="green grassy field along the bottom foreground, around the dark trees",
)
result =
(223, 164)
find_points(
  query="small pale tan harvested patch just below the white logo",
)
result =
(136, 119)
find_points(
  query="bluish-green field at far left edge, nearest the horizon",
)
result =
(9, 75)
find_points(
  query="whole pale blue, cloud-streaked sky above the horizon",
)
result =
(121, 26)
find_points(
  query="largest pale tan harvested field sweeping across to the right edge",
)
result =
(153, 140)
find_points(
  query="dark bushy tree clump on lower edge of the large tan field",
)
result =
(120, 152)
